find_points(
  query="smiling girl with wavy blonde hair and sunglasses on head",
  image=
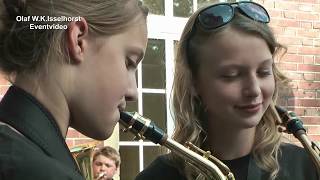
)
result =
(225, 88)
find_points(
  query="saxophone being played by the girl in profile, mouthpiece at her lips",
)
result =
(144, 128)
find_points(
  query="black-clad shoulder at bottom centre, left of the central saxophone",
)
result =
(161, 168)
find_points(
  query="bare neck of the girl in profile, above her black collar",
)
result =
(49, 95)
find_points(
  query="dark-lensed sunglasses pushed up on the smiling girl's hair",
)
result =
(218, 15)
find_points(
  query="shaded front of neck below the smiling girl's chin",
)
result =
(230, 143)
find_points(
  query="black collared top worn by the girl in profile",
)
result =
(40, 152)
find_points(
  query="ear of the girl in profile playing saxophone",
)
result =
(77, 35)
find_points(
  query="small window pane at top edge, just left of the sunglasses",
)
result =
(182, 8)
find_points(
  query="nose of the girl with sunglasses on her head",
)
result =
(252, 87)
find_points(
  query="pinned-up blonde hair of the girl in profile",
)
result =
(24, 50)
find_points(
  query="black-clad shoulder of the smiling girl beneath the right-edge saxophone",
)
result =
(296, 162)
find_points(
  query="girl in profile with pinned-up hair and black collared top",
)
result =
(71, 63)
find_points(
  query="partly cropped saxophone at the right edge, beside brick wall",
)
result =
(294, 126)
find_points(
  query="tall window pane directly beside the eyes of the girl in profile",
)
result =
(153, 65)
